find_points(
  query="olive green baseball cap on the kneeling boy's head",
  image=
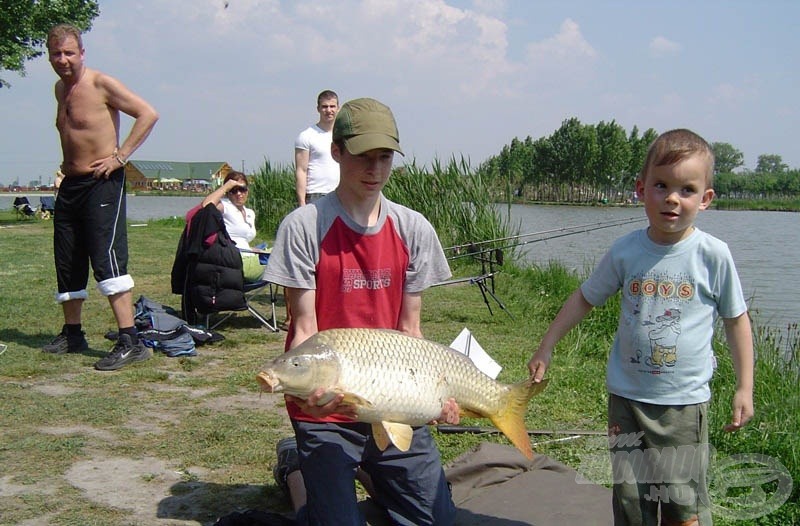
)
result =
(366, 124)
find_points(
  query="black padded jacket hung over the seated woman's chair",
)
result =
(207, 271)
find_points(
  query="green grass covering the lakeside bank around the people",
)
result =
(204, 418)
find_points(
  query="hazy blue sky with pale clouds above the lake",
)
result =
(237, 84)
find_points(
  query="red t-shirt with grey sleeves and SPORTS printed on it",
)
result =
(360, 274)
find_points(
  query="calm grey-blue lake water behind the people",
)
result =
(765, 245)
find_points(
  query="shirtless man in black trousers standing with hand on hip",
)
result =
(90, 207)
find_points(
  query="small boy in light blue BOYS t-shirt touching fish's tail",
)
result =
(674, 280)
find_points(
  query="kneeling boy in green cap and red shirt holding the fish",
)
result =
(354, 259)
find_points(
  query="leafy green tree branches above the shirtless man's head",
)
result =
(24, 25)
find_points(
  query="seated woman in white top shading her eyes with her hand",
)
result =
(240, 221)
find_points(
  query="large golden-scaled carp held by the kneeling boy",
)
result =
(396, 381)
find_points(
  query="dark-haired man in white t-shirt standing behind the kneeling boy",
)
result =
(316, 172)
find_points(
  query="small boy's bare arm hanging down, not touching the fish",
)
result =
(740, 340)
